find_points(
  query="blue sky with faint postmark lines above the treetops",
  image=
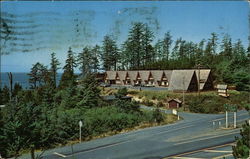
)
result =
(36, 29)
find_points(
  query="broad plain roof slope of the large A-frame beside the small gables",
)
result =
(180, 79)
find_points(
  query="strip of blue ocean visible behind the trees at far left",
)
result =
(21, 78)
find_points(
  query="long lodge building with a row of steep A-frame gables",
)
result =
(176, 80)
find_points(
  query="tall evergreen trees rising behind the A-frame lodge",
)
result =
(229, 61)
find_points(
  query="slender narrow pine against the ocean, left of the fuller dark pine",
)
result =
(54, 66)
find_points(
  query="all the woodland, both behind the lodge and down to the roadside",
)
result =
(48, 113)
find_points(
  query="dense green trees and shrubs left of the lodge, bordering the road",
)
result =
(48, 113)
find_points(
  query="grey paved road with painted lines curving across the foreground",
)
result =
(195, 132)
